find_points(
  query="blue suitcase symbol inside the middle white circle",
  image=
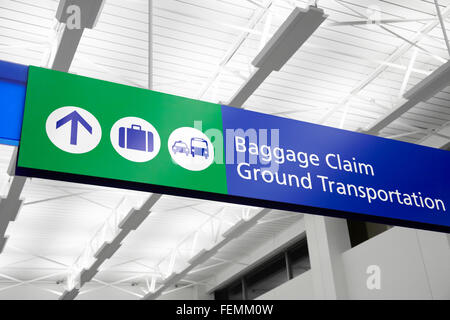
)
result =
(135, 138)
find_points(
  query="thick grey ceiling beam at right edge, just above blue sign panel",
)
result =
(421, 92)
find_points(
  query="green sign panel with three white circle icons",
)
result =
(99, 129)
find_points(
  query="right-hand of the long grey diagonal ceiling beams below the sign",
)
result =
(201, 257)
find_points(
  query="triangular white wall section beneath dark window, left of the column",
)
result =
(299, 288)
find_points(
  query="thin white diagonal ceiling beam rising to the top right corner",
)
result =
(400, 51)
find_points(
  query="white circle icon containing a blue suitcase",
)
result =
(135, 139)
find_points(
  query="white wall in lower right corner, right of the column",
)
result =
(414, 265)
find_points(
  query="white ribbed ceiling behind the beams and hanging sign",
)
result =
(203, 49)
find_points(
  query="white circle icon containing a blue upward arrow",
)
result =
(73, 129)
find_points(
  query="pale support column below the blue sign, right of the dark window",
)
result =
(327, 238)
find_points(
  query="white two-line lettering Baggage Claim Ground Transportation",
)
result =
(280, 156)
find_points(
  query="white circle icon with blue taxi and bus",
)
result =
(191, 149)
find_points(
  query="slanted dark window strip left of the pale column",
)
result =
(269, 274)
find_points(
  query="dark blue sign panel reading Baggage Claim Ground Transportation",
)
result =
(322, 168)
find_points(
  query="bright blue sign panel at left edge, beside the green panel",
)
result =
(13, 81)
